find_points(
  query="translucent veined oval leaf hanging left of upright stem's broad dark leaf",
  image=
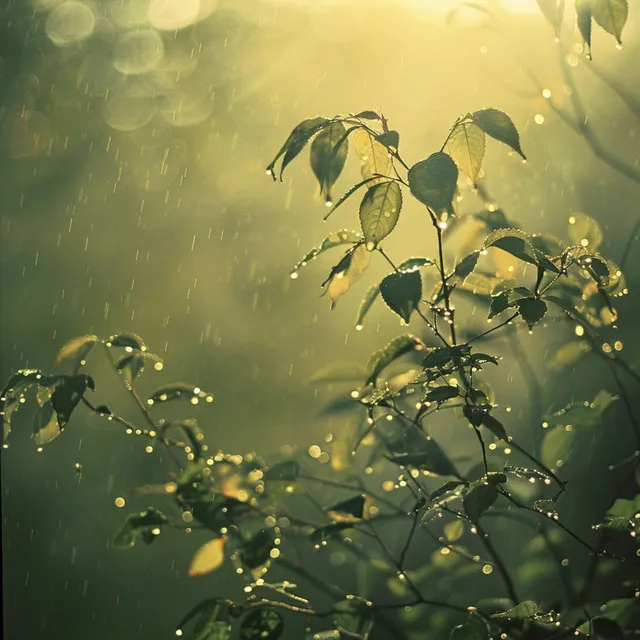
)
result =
(379, 211)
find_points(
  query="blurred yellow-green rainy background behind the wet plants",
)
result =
(133, 197)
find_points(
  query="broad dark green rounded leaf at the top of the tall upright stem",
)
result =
(434, 181)
